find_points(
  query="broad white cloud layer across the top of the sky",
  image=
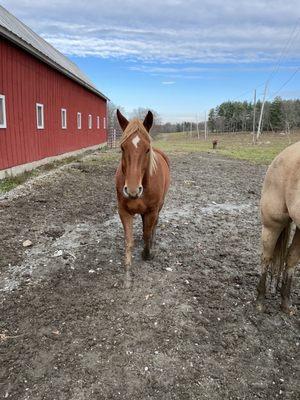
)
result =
(210, 31)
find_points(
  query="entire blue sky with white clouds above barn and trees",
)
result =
(177, 57)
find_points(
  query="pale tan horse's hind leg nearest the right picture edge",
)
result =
(293, 257)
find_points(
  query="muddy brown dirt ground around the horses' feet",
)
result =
(187, 329)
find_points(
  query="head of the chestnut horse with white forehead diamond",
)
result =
(137, 154)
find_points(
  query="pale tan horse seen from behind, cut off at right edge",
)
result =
(280, 206)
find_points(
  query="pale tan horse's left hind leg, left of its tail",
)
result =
(269, 239)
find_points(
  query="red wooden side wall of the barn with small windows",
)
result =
(25, 81)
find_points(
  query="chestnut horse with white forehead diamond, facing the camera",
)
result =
(142, 181)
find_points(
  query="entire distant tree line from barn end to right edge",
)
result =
(230, 116)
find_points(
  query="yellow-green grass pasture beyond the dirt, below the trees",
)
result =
(232, 145)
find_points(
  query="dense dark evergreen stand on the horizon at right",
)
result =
(236, 116)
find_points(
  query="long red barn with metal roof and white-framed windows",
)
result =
(48, 107)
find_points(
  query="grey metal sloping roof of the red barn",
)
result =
(15, 31)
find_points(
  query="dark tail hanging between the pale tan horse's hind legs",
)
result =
(279, 256)
